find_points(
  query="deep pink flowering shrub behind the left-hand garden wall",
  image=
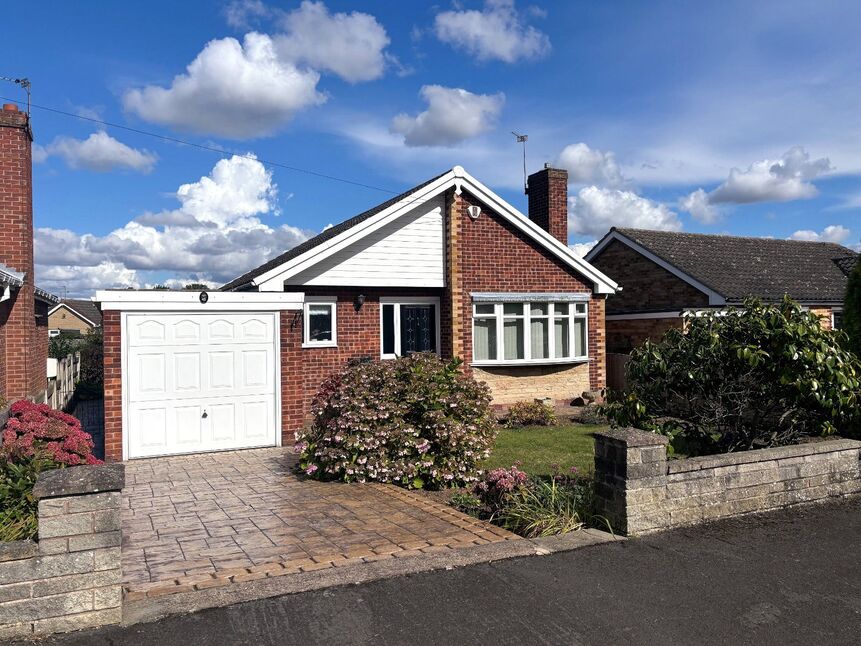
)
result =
(39, 431)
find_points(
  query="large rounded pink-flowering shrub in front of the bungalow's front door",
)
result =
(418, 421)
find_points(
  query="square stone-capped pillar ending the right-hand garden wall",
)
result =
(630, 477)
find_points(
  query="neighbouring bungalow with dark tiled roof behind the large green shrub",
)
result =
(664, 274)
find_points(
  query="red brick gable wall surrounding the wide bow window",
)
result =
(493, 256)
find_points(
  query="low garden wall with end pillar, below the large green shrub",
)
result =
(640, 491)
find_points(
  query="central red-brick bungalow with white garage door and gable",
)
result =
(446, 267)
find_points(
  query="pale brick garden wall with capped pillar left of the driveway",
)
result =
(72, 577)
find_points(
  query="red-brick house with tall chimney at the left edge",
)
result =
(23, 306)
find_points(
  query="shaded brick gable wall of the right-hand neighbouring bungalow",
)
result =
(647, 287)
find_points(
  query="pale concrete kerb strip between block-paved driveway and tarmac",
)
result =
(152, 609)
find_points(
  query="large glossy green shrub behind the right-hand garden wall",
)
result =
(756, 376)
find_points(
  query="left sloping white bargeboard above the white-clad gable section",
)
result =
(273, 279)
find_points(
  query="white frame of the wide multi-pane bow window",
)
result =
(573, 316)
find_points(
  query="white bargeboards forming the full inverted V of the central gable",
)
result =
(273, 280)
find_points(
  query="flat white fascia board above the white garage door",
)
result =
(167, 301)
